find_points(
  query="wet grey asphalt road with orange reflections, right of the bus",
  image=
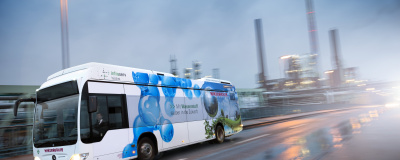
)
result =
(363, 133)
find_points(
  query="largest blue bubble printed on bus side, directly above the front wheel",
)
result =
(149, 110)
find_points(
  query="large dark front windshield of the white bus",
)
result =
(55, 122)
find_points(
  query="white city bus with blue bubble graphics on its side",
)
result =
(100, 111)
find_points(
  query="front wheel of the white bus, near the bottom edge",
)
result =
(146, 149)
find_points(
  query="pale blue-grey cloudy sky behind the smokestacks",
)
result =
(218, 33)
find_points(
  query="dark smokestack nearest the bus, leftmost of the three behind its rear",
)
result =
(260, 49)
